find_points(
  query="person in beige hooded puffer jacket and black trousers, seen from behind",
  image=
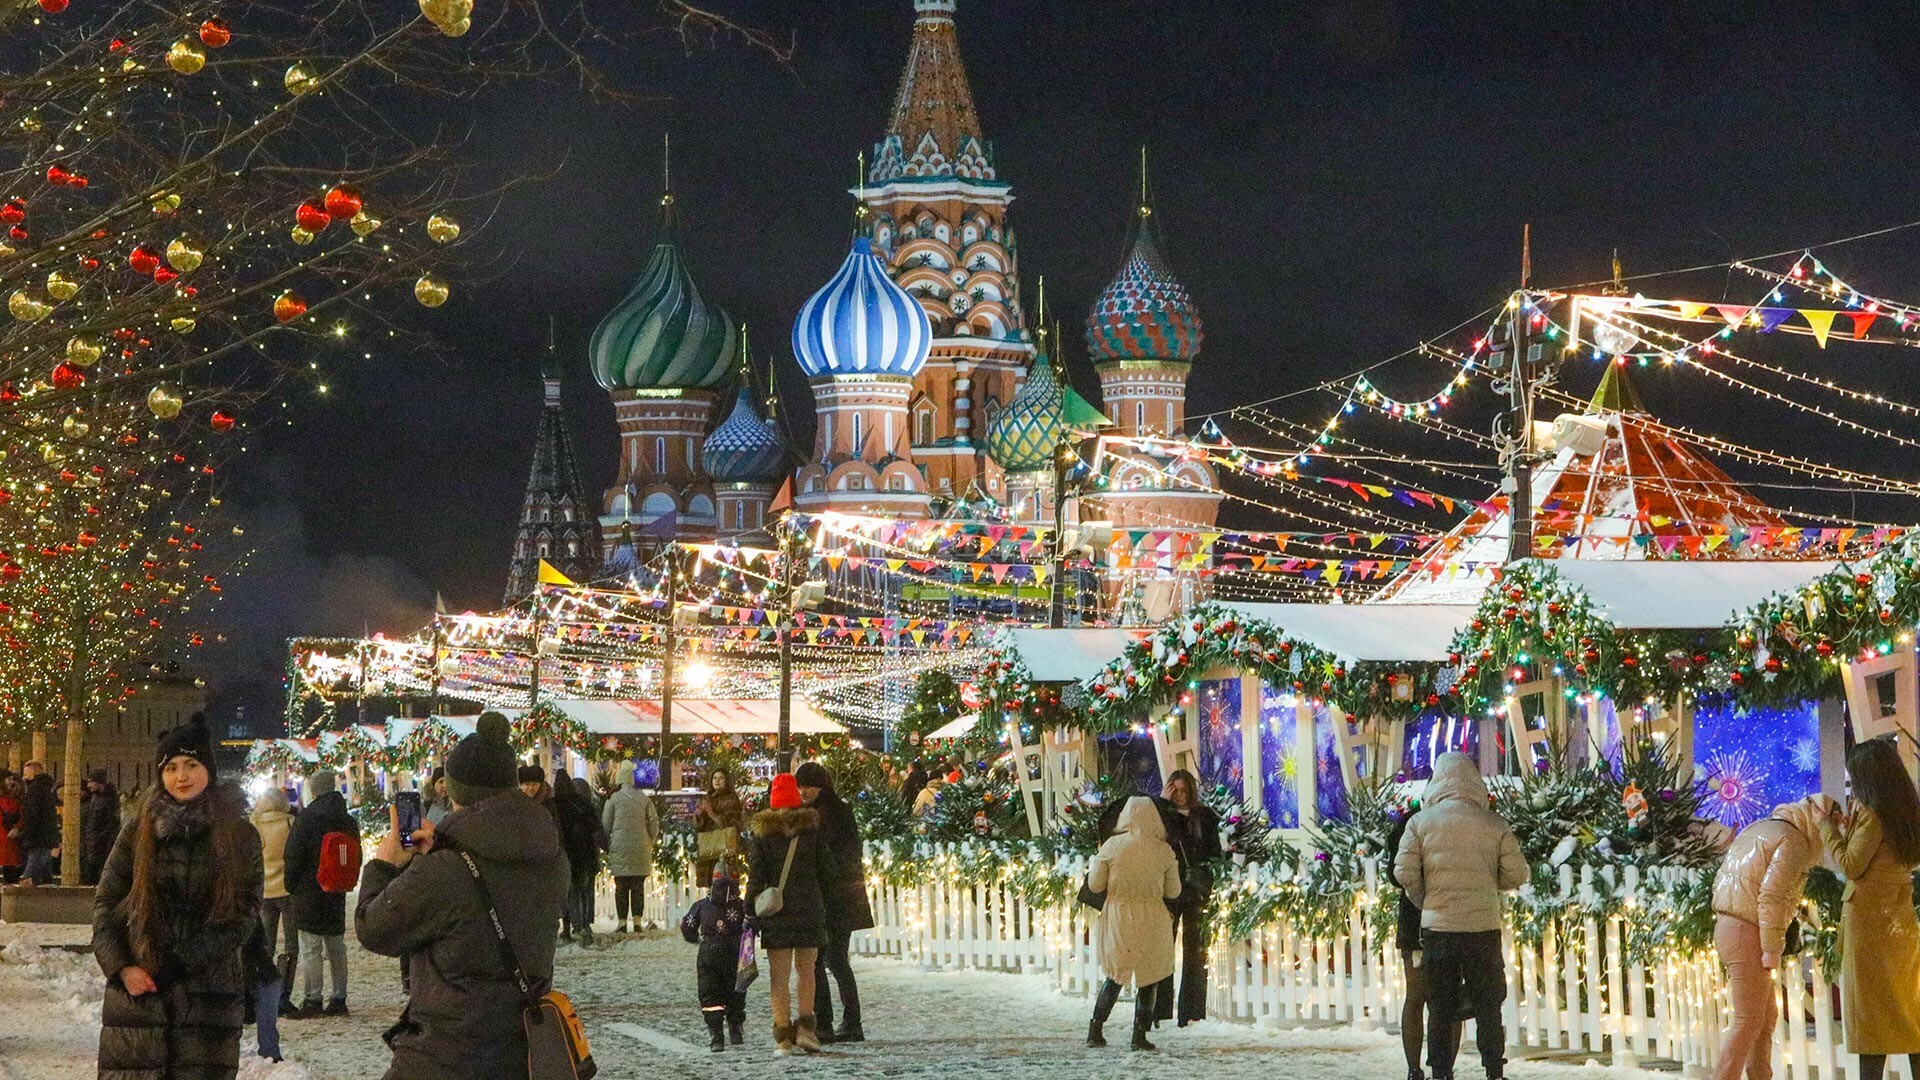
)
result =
(1454, 862)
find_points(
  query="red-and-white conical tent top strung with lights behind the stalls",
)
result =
(1620, 487)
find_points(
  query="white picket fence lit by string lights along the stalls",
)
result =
(1577, 998)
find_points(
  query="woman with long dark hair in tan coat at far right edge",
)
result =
(1879, 847)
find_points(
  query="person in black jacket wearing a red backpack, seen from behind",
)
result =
(320, 916)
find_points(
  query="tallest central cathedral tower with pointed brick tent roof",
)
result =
(938, 216)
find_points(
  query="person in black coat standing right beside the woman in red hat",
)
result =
(848, 906)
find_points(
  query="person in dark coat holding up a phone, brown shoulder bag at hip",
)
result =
(464, 1012)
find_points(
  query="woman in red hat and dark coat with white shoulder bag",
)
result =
(792, 937)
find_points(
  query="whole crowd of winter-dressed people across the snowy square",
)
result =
(212, 916)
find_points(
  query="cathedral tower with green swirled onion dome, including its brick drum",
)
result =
(665, 356)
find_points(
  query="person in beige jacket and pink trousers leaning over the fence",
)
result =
(1756, 896)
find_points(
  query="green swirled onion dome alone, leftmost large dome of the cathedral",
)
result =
(663, 335)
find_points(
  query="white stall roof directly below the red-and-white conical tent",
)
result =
(1691, 595)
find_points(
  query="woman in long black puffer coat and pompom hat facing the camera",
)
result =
(172, 918)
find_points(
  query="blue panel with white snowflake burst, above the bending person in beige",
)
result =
(1754, 760)
